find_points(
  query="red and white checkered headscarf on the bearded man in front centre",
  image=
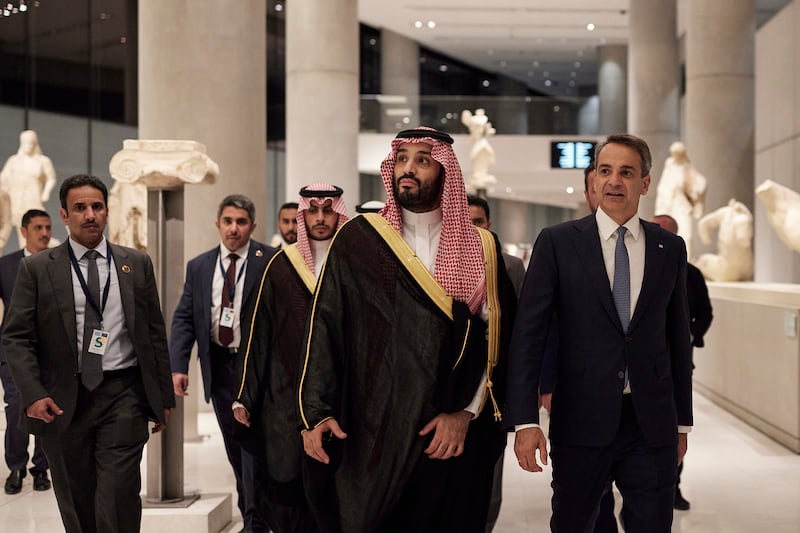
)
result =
(459, 266)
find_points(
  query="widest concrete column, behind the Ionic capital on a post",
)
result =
(206, 81)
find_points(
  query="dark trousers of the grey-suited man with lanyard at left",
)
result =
(95, 463)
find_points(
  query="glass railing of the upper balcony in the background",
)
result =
(509, 115)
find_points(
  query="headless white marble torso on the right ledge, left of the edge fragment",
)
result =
(734, 258)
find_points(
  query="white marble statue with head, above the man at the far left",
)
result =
(27, 178)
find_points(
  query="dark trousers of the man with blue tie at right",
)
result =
(644, 475)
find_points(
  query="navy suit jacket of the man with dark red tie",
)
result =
(192, 319)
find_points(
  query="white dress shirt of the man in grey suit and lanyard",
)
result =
(119, 351)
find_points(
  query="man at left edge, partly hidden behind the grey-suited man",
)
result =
(37, 230)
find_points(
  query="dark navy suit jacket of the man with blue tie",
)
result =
(567, 278)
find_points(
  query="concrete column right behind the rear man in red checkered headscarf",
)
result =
(322, 98)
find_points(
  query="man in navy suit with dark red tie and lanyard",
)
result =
(219, 285)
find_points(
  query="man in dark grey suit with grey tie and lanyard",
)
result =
(86, 345)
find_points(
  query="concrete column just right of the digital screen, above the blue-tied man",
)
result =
(654, 83)
